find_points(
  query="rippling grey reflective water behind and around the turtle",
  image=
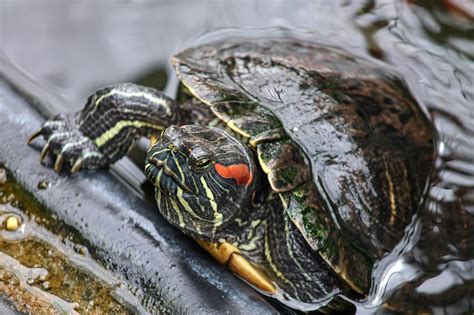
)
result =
(71, 49)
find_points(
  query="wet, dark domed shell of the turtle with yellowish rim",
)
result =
(341, 139)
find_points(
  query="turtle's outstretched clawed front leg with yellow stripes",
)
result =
(107, 127)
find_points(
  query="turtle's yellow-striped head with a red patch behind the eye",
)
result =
(202, 178)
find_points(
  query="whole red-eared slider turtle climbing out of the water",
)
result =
(304, 159)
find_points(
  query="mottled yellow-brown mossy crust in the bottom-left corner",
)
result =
(65, 280)
